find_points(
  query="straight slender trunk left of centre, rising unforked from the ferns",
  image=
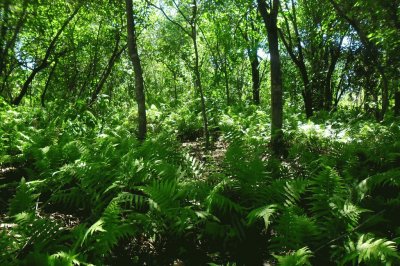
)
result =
(137, 67)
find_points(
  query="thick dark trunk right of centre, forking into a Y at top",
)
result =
(270, 20)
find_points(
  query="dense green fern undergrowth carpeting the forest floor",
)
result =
(81, 190)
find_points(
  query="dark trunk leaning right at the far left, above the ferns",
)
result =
(45, 61)
